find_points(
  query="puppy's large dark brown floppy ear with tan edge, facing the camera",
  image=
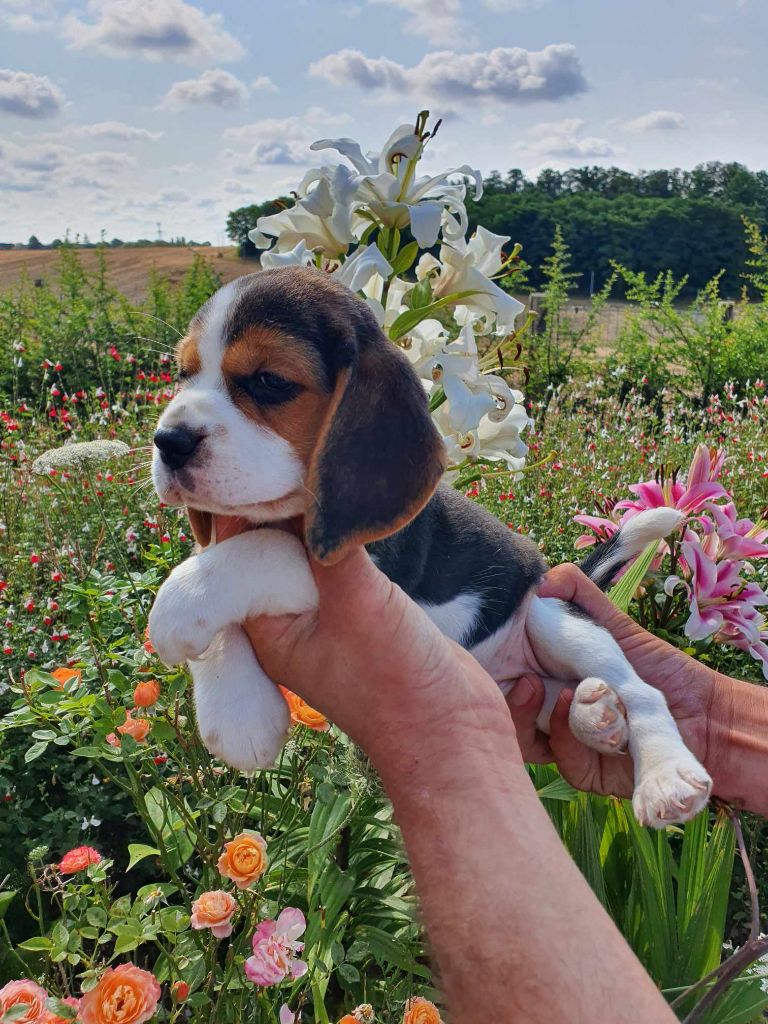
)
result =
(379, 457)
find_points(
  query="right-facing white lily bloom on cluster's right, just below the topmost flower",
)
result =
(468, 267)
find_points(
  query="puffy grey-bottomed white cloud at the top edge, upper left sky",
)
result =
(160, 30)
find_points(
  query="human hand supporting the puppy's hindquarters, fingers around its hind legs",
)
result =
(690, 688)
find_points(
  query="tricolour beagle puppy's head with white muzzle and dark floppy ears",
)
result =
(293, 403)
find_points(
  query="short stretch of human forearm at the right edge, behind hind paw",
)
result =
(738, 744)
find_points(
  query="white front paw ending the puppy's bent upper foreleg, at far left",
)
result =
(180, 627)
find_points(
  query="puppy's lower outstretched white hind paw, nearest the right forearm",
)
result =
(675, 790)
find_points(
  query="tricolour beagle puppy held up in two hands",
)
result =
(293, 404)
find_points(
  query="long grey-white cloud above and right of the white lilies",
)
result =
(501, 75)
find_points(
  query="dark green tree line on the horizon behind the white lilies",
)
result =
(690, 223)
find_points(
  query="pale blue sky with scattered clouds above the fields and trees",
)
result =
(117, 115)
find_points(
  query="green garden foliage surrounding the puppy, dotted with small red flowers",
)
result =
(160, 812)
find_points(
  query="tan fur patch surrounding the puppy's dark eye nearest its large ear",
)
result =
(300, 421)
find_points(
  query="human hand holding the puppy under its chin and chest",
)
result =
(374, 663)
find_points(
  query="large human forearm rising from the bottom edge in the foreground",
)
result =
(517, 932)
